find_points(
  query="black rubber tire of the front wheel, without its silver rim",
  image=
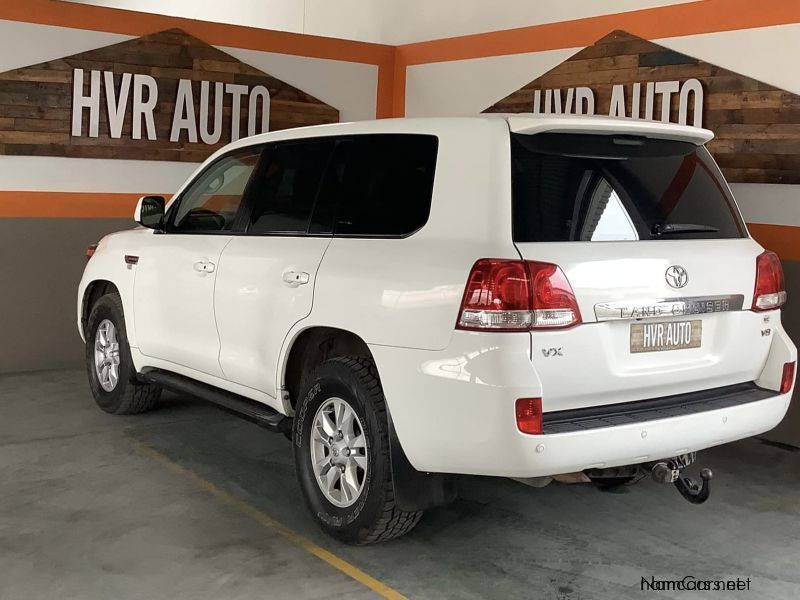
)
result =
(130, 396)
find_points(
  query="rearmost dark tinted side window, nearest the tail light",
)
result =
(387, 184)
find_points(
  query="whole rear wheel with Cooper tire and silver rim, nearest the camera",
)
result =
(341, 454)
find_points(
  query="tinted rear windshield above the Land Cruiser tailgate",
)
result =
(576, 187)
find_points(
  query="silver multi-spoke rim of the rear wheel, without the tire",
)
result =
(339, 452)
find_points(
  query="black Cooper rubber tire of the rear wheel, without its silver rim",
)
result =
(374, 517)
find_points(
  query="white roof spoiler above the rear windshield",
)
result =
(531, 124)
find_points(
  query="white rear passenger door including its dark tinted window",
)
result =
(265, 280)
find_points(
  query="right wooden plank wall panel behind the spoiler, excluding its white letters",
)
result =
(757, 125)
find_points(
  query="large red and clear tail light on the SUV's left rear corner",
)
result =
(517, 295)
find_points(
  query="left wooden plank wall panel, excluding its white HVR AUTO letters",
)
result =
(36, 101)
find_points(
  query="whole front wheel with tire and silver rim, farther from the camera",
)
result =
(112, 376)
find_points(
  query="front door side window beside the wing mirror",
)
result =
(212, 201)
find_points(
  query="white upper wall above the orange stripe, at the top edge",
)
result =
(384, 21)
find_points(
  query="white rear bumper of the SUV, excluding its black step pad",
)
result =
(453, 411)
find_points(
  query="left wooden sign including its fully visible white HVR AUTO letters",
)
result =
(165, 96)
